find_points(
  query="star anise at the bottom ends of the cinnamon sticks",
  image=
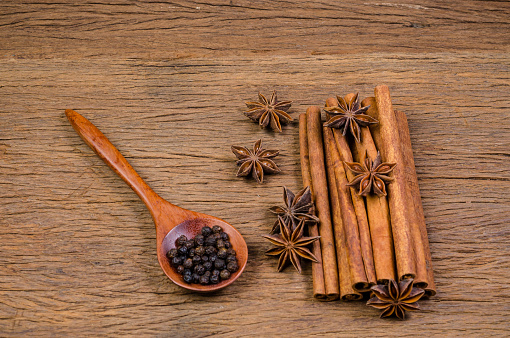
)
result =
(395, 299)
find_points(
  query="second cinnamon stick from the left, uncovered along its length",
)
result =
(320, 189)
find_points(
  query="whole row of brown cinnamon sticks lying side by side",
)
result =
(365, 240)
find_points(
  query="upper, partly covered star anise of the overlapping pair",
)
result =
(297, 207)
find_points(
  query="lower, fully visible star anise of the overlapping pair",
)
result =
(291, 245)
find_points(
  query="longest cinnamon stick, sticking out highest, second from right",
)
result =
(387, 139)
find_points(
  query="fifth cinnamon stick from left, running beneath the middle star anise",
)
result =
(378, 216)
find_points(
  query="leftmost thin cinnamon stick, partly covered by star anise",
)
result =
(319, 291)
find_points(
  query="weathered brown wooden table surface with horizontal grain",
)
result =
(167, 82)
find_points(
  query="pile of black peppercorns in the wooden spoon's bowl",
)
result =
(208, 258)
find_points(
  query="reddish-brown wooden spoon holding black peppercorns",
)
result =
(171, 221)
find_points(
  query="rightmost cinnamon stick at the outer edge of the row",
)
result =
(414, 206)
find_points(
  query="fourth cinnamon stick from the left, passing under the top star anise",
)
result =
(357, 202)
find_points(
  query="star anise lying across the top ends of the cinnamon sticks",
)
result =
(349, 115)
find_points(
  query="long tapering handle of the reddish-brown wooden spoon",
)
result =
(107, 151)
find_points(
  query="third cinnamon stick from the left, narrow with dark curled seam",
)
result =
(347, 292)
